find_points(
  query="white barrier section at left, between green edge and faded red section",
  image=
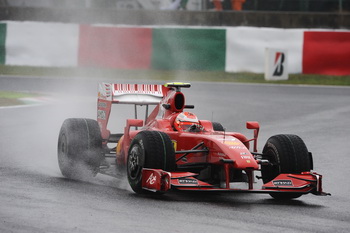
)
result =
(41, 44)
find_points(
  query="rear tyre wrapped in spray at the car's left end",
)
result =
(79, 148)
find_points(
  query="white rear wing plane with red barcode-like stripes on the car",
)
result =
(139, 94)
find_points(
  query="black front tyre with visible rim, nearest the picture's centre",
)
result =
(149, 149)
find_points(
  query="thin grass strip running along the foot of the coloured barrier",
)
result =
(209, 76)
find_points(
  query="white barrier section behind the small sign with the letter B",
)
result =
(245, 48)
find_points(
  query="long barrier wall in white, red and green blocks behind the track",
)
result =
(230, 49)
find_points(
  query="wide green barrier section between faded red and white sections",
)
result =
(188, 49)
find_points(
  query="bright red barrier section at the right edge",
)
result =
(326, 53)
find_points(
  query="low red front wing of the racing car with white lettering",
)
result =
(162, 181)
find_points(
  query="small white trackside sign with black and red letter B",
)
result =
(276, 64)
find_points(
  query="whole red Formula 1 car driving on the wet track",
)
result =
(172, 149)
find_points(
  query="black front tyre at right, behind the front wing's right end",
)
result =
(288, 154)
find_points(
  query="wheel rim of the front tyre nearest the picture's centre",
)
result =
(135, 163)
